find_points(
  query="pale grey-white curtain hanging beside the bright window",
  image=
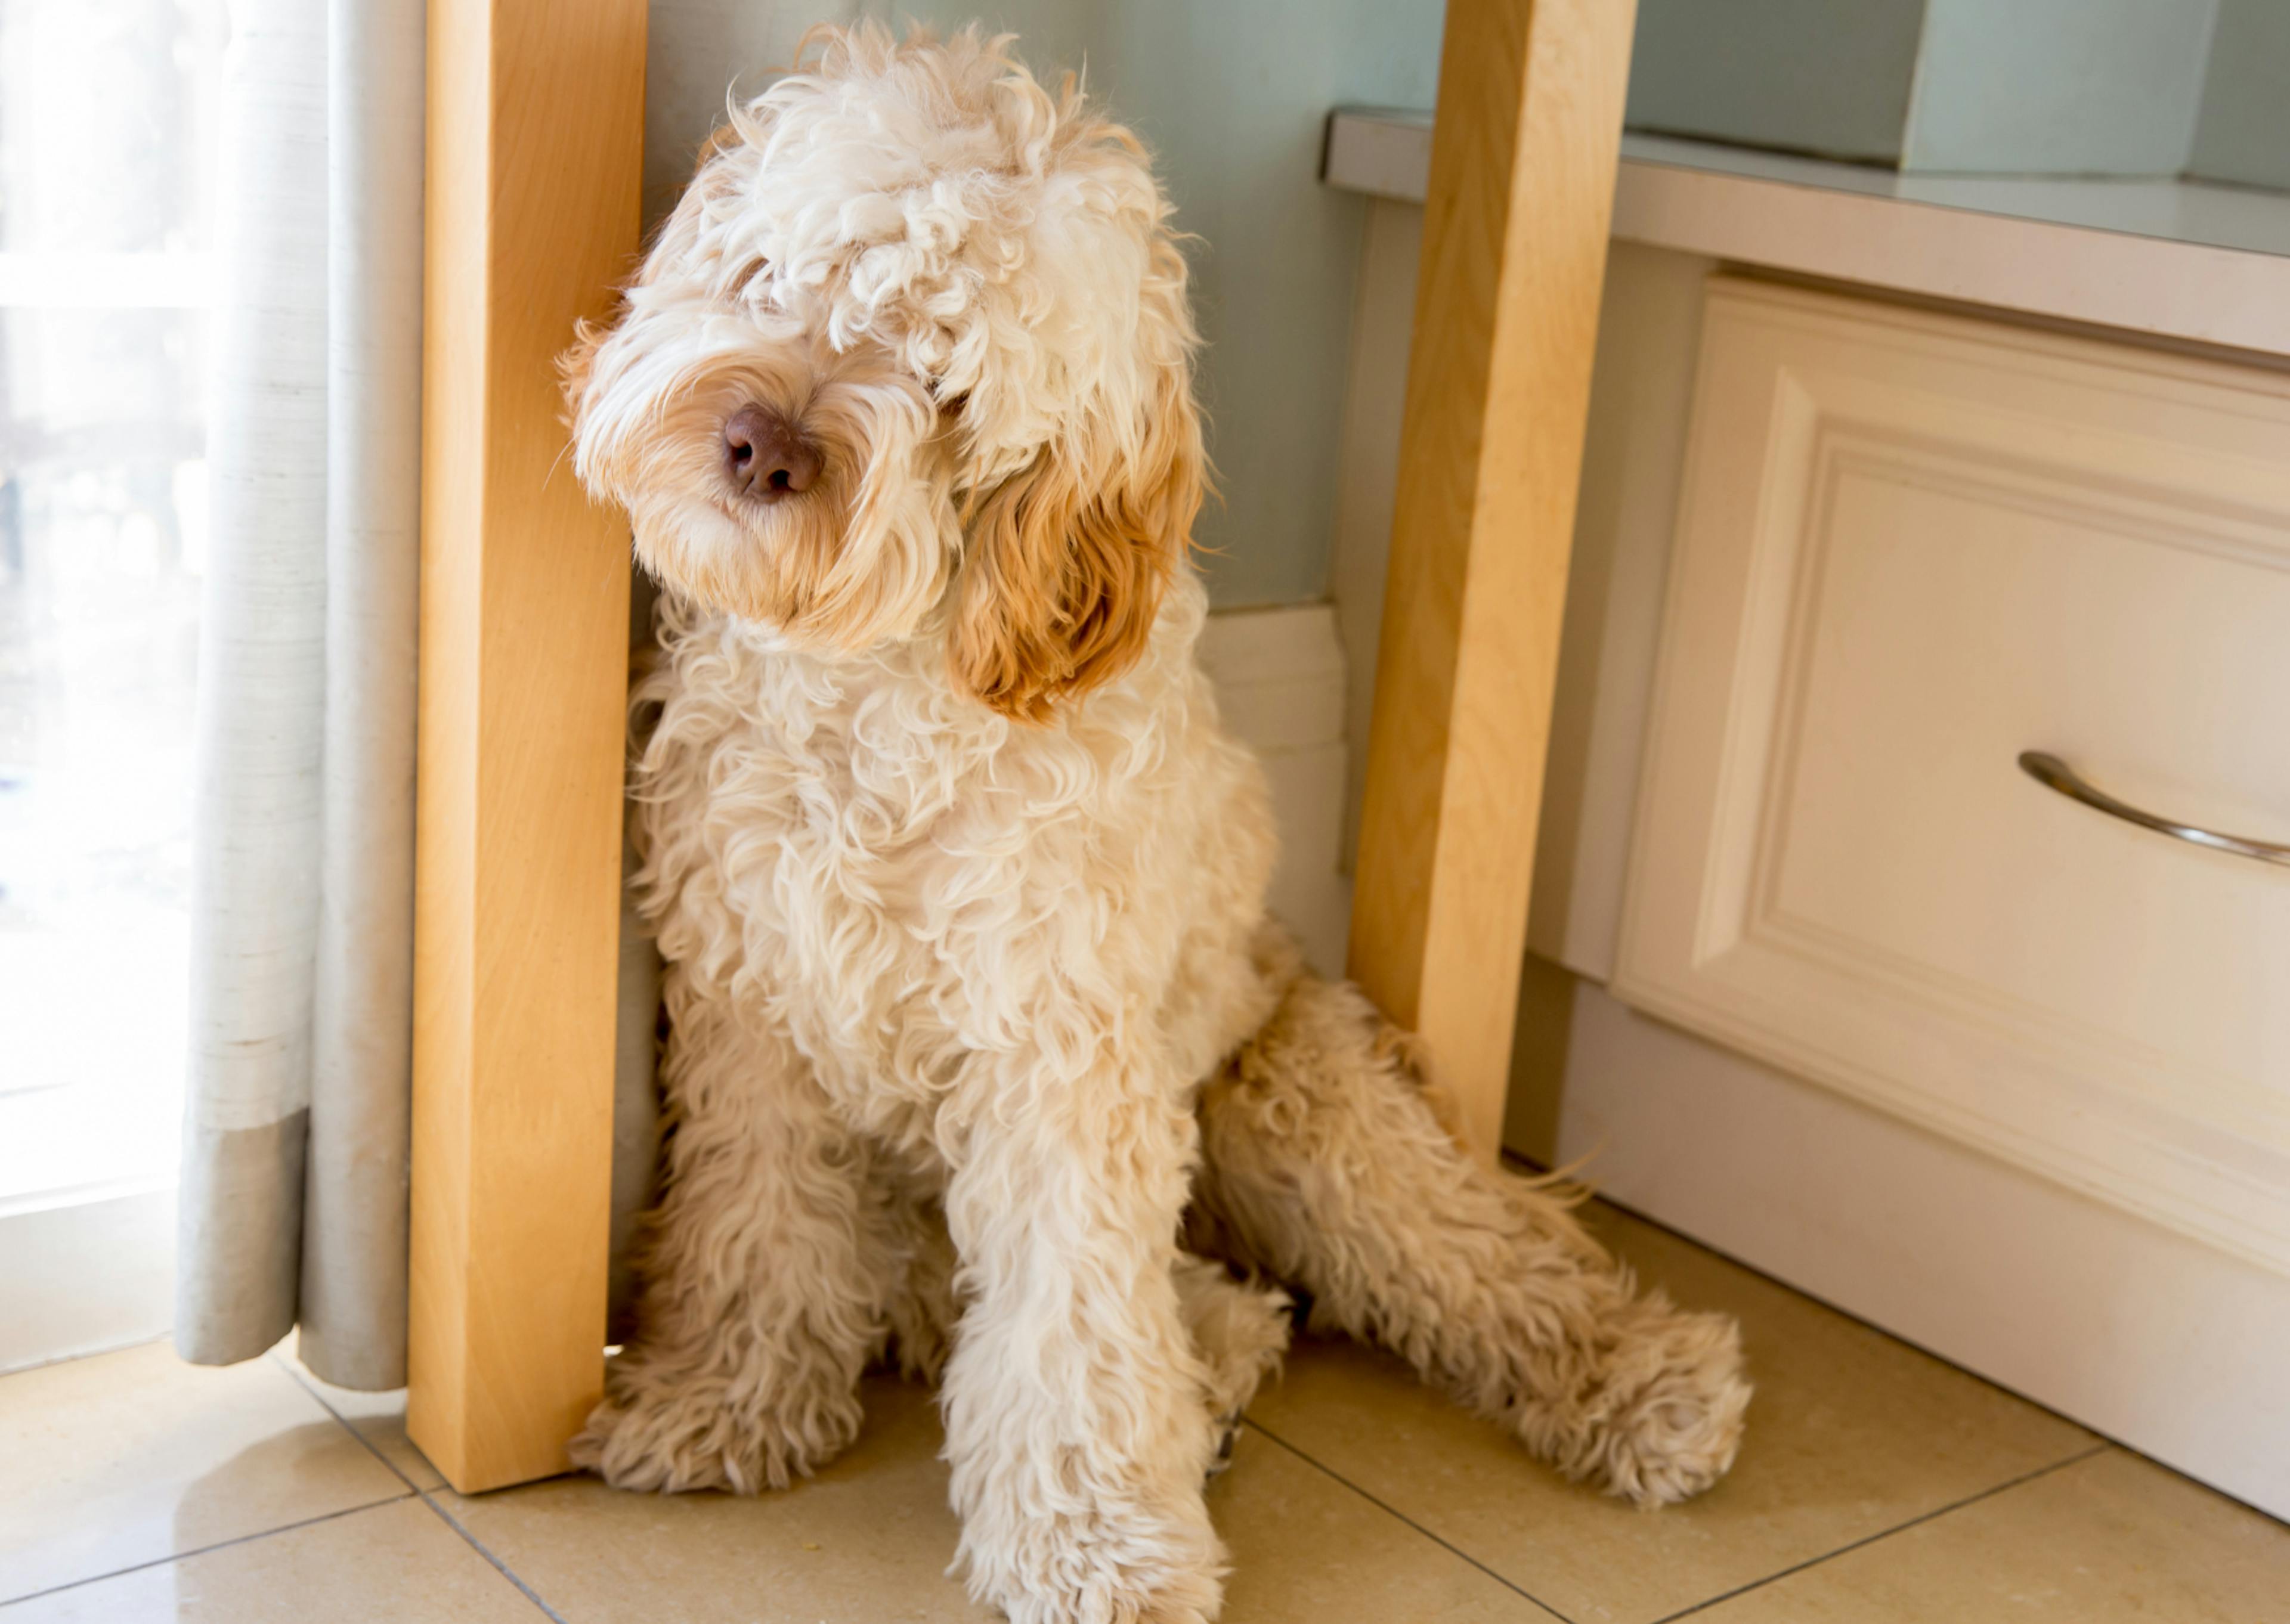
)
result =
(297, 1126)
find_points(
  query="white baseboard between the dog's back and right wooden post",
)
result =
(1281, 688)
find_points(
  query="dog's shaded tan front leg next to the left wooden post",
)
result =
(766, 1275)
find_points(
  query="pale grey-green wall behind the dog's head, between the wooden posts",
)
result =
(1233, 97)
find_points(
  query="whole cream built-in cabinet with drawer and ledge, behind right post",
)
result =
(1911, 1032)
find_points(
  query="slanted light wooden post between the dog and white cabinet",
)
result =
(1499, 391)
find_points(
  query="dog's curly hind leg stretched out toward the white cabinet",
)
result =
(1329, 1169)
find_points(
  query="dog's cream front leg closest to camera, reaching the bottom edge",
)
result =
(1075, 1403)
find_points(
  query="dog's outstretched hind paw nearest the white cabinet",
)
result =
(1668, 1412)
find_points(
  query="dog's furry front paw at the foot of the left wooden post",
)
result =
(670, 1435)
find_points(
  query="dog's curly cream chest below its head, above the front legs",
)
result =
(901, 881)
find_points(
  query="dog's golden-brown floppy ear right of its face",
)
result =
(1066, 560)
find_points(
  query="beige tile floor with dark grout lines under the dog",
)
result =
(1877, 1488)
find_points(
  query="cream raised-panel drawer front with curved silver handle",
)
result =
(1911, 549)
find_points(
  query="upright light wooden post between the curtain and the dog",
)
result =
(535, 152)
